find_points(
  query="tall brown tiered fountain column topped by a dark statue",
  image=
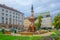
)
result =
(32, 19)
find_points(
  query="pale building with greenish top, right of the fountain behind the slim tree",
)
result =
(46, 20)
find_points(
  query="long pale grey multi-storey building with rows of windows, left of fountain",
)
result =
(10, 18)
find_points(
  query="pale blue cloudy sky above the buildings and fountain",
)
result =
(24, 6)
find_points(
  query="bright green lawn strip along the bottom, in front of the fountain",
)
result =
(7, 37)
